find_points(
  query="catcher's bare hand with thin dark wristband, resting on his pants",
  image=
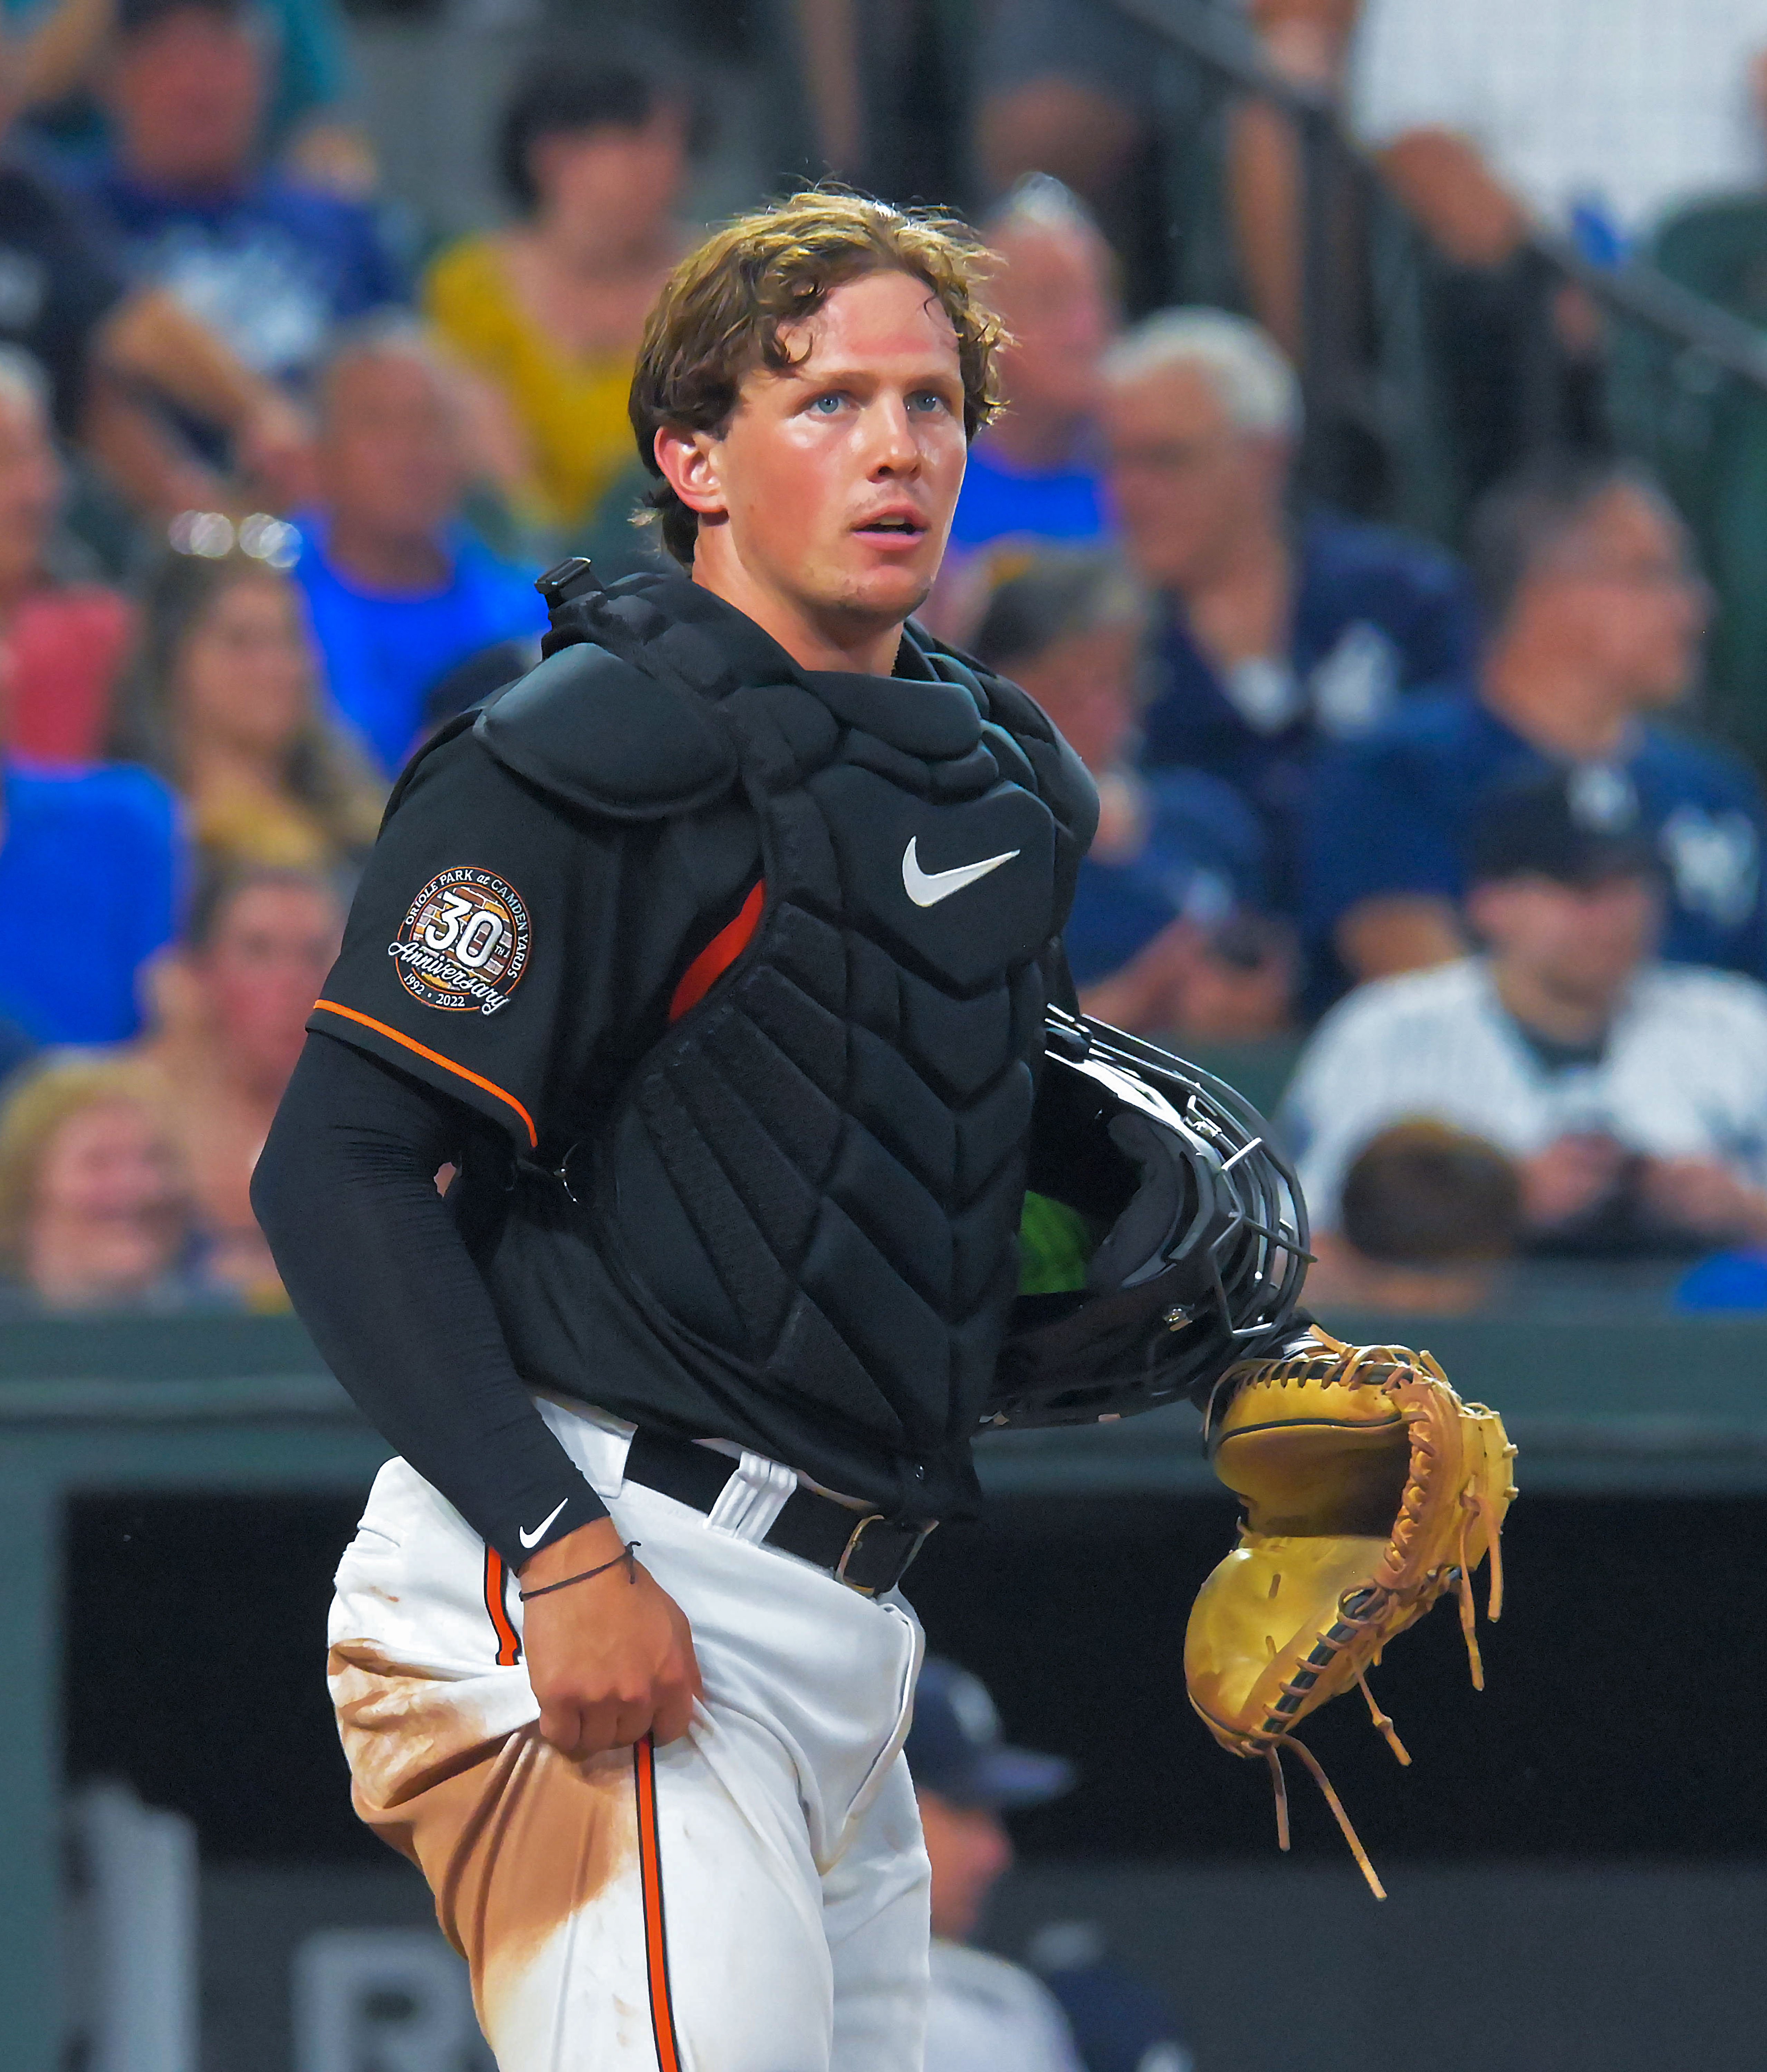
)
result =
(612, 1661)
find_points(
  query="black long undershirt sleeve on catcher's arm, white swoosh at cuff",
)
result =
(382, 1277)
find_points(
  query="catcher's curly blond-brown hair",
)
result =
(726, 306)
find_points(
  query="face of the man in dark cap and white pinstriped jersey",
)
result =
(1577, 942)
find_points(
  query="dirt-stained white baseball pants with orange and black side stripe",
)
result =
(751, 1899)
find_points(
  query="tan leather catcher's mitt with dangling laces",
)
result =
(1370, 1489)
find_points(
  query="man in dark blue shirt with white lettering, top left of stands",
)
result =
(268, 264)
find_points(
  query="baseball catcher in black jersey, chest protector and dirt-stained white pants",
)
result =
(718, 958)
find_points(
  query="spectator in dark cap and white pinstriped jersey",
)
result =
(1631, 1093)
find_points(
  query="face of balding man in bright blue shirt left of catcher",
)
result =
(393, 457)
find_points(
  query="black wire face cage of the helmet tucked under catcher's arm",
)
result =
(1221, 1288)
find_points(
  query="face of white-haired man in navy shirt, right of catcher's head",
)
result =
(1188, 488)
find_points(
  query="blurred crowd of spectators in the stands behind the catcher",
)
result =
(1422, 836)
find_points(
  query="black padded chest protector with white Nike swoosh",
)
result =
(811, 1188)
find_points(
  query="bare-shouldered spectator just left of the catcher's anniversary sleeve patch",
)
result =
(235, 1006)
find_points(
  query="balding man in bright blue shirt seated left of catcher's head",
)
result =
(397, 587)
